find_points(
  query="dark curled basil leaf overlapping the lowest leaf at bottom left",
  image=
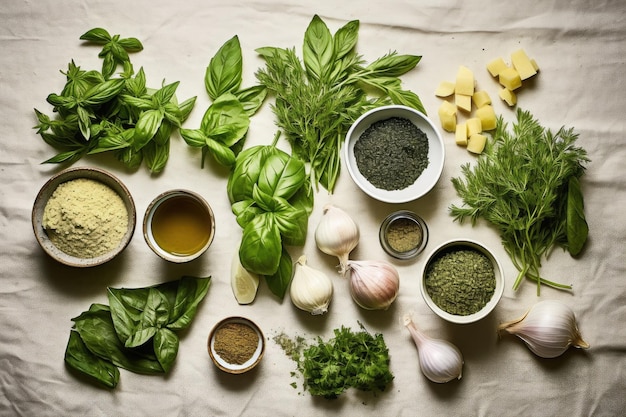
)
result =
(96, 329)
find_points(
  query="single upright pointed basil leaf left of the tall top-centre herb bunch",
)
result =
(224, 72)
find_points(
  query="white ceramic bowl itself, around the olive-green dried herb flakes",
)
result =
(491, 304)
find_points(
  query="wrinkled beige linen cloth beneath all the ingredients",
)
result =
(580, 47)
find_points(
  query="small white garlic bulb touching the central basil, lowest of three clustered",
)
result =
(311, 290)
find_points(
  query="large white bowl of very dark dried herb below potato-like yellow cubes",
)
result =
(394, 153)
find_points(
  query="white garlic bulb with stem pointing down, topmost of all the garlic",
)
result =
(337, 235)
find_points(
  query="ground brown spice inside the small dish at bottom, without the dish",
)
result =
(235, 343)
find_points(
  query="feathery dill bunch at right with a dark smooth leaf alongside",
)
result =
(526, 184)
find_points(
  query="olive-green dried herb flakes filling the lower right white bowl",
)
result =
(460, 281)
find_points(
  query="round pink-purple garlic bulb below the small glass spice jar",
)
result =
(374, 285)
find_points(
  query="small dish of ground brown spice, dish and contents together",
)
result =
(226, 349)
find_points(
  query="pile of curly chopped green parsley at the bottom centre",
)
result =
(348, 360)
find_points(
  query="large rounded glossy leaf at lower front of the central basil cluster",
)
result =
(260, 248)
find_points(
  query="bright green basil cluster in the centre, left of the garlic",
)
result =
(271, 197)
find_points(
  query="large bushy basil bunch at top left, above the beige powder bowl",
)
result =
(98, 111)
